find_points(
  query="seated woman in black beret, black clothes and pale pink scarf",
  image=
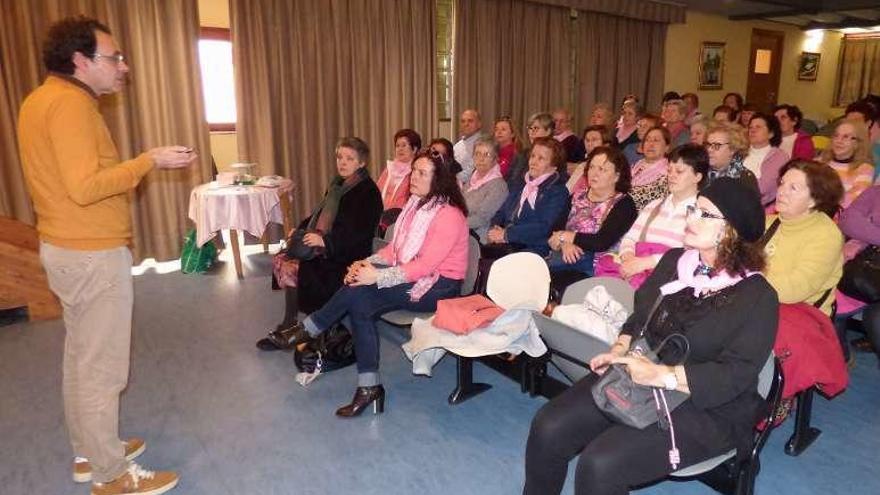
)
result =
(713, 294)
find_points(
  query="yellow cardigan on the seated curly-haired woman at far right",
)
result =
(805, 258)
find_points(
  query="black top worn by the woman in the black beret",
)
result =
(731, 334)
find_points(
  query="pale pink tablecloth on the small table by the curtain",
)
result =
(249, 208)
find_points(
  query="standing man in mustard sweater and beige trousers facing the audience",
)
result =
(80, 190)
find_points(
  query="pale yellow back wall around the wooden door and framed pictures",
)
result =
(682, 62)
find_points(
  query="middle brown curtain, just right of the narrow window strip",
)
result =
(512, 58)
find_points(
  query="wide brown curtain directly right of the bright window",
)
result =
(309, 72)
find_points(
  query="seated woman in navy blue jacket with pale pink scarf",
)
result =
(528, 214)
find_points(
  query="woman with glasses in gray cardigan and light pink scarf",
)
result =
(486, 189)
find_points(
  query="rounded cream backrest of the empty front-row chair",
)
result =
(519, 280)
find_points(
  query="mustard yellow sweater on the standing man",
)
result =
(79, 187)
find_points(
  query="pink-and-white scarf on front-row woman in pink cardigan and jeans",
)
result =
(409, 235)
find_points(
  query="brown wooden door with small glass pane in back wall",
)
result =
(765, 63)
